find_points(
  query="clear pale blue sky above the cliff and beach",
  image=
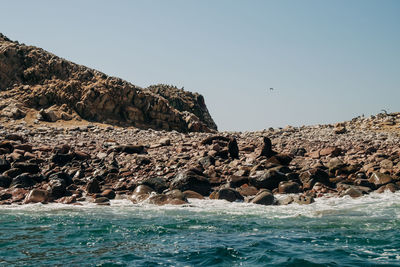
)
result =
(328, 61)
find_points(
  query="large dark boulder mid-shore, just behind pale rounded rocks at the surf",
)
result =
(189, 180)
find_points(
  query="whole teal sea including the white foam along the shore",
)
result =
(329, 232)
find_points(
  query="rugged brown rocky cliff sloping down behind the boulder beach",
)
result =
(35, 78)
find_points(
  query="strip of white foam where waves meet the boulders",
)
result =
(372, 205)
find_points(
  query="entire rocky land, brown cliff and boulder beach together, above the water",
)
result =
(160, 144)
